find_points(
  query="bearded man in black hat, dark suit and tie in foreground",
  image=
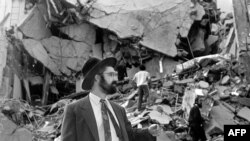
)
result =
(94, 118)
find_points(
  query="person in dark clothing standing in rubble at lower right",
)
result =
(196, 122)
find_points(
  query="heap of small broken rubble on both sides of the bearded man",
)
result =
(216, 79)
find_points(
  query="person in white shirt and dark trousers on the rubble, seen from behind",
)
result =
(142, 79)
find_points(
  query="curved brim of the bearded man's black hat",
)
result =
(89, 78)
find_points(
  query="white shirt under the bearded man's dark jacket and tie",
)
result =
(96, 105)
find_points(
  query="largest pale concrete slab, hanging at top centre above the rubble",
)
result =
(157, 22)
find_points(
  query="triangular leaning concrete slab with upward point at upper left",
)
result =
(34, 26)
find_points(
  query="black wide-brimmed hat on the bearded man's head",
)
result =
(91, 68)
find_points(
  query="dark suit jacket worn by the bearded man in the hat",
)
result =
(79, 123)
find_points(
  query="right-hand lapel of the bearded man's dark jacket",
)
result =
(121, 120)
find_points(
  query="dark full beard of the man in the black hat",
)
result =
(108, 89)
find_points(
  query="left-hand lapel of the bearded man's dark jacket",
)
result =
(90, 117)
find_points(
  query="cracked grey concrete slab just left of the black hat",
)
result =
(68, 55)
